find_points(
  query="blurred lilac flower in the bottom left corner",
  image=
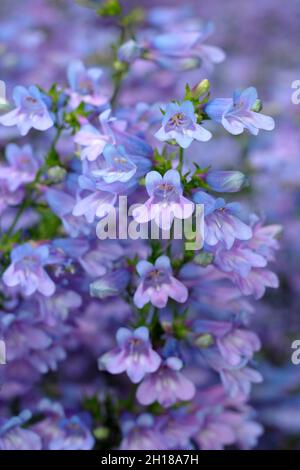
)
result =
(14, 437)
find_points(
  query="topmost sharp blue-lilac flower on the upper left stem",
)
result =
(84, 85)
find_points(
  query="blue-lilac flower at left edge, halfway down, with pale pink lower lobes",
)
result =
(27, 270)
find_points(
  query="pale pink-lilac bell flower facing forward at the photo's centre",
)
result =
(165, 202)
